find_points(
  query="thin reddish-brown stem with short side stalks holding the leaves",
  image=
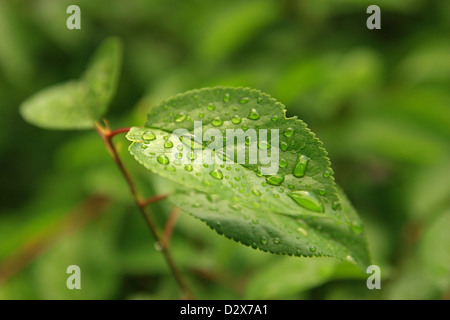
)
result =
(106, 134)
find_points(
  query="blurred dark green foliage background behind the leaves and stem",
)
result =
(378, 99)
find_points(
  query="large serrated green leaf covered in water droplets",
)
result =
(297, 211)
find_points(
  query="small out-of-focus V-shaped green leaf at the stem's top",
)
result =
(78, 104)
